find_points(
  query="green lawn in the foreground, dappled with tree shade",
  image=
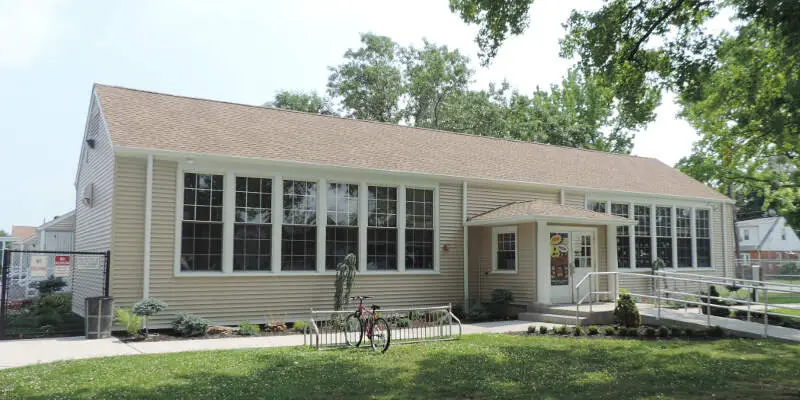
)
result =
(477, 367)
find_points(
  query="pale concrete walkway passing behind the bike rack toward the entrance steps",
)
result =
(18, 353)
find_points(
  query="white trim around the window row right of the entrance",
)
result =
(692, 206)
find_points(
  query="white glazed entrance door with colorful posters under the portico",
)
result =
(571, 259)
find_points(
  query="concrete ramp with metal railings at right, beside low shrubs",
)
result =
(691, 318)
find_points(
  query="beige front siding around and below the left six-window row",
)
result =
(228, 299)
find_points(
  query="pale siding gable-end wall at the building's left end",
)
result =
(93, 223)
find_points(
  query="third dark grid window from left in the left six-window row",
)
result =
(299, 230)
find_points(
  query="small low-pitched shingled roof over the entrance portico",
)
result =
(537, 210)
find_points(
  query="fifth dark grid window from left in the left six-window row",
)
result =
(381, 228)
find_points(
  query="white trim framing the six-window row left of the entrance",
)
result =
(231, 171)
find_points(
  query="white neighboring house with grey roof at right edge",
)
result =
(767, 242)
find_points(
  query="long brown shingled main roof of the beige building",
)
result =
(146, 120)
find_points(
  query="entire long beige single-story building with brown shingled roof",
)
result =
(237, 212)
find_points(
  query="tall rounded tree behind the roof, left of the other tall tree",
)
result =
(370, 81)
